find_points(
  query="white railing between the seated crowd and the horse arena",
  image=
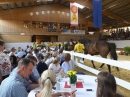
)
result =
(119, 64)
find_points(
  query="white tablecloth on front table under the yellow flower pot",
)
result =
(89, 83)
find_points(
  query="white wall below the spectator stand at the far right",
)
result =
(120, 43)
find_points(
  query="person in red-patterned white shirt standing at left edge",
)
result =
(5, 64)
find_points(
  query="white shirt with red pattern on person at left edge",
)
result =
(5, 65)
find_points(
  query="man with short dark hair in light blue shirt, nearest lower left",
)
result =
(13, 85)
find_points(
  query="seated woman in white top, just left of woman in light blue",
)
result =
(55, 66)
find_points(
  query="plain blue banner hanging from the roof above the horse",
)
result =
(97, 13)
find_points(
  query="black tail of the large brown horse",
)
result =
(113, 54)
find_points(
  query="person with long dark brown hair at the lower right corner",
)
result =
(106, 85)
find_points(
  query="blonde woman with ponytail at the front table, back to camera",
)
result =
(47, 81)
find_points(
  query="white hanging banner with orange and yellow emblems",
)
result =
(73, 14)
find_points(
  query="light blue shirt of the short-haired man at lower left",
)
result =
(13, 87)
